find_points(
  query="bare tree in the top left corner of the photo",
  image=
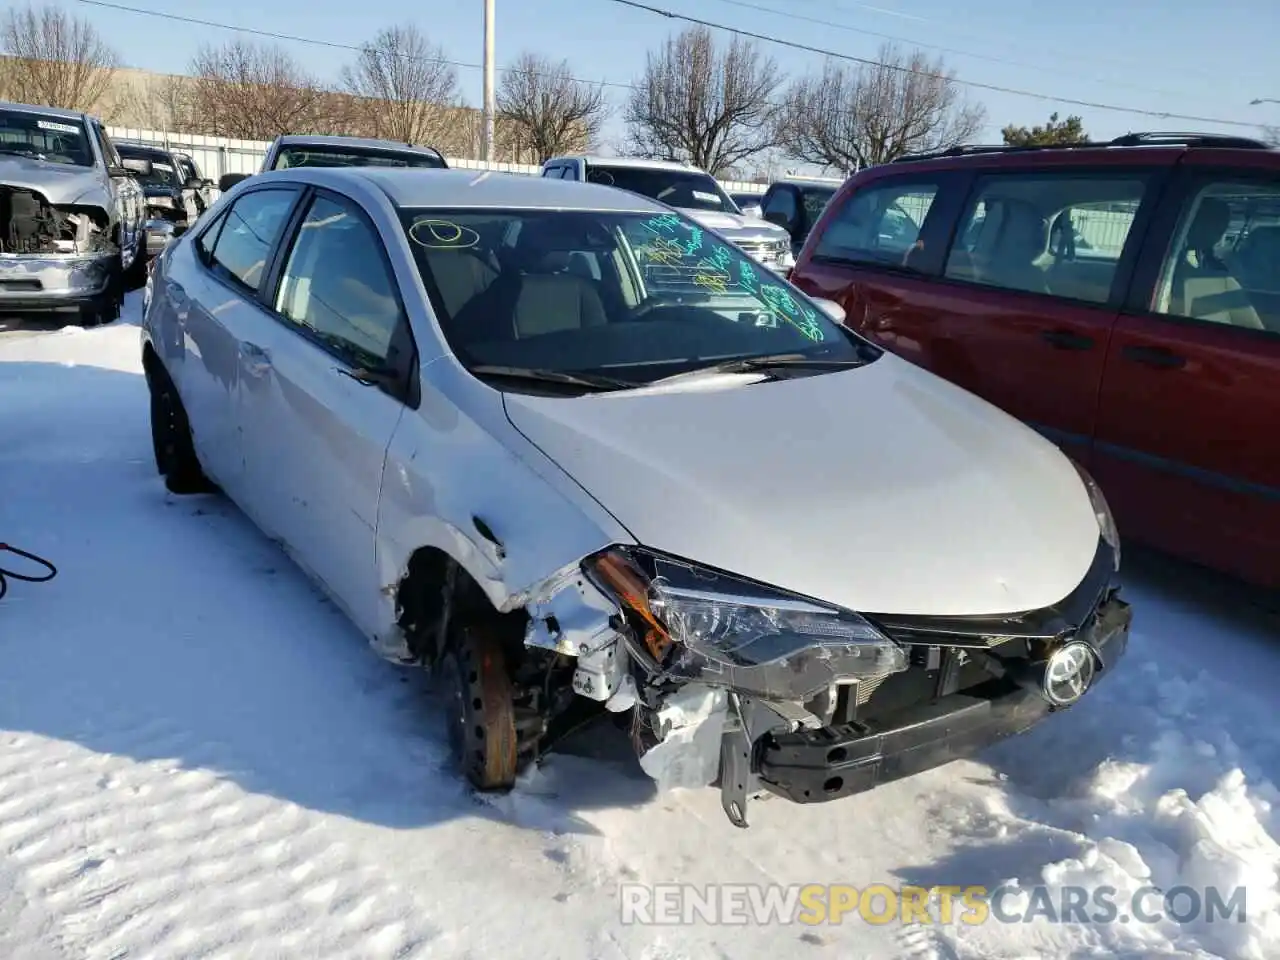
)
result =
(54, 60)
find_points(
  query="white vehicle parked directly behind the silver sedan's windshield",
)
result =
(687, 189)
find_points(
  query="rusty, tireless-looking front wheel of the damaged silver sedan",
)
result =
(481, 711)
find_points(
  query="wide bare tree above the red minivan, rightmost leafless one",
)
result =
(849, 118)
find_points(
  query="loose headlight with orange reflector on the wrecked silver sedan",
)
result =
(712, 628)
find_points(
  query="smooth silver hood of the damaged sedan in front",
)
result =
(883, 490)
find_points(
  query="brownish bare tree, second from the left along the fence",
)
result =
(257, 93)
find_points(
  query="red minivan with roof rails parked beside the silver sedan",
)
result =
(1123, 299)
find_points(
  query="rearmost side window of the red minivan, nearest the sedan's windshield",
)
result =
(880, 225)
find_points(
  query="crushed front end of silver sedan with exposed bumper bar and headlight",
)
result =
(769, 692)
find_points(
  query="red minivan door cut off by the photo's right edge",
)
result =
(1187, 447)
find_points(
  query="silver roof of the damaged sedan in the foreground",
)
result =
(408, 188)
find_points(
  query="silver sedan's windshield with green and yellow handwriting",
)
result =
(632, 296)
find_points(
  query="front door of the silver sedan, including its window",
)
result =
(324, 394)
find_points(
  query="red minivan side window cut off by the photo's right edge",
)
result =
(1224, 266)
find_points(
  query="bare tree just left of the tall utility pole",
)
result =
(410, 84)
